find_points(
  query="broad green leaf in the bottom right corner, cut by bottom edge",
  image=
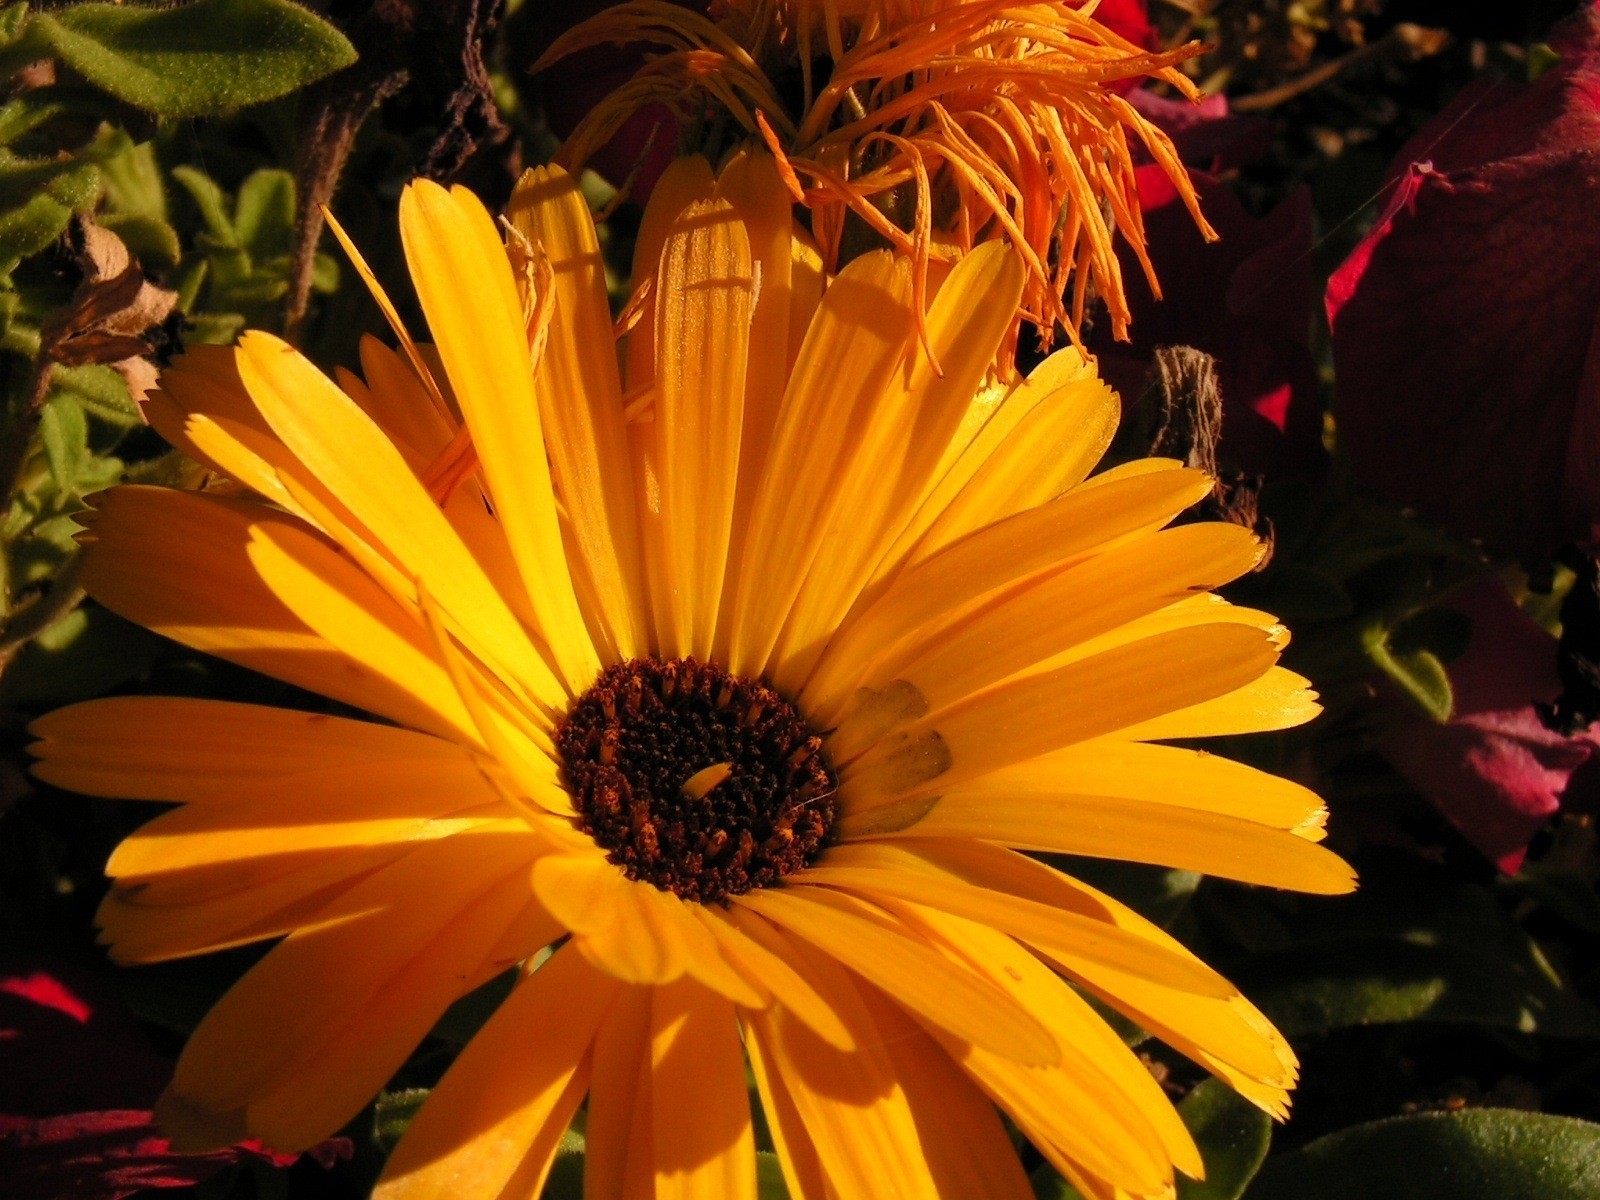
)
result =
(1484, 1154)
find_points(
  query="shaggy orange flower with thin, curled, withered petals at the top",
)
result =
(930, 126)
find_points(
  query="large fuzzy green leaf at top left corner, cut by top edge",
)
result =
(196, 60)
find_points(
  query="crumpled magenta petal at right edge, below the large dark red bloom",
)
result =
(1494, 770)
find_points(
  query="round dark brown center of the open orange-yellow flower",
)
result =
(698, 782)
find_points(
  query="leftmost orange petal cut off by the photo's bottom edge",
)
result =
(502, 1110)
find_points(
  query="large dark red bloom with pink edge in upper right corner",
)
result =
(1468, 372)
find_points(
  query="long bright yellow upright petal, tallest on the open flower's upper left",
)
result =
(465, 284)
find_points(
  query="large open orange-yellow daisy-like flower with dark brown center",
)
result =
(742, 708)
